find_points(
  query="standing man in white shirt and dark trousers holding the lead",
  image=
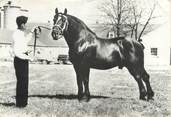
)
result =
(21, 58)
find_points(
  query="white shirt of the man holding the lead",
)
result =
(20, 44)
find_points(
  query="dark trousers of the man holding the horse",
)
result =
(21, 70)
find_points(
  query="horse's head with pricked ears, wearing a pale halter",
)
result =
(60, 24)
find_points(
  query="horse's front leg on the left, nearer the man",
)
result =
(79, 82)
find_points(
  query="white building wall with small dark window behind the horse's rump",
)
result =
(160, 39)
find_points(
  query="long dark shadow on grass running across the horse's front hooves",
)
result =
(63, 96)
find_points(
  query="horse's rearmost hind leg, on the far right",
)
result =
(146, 78)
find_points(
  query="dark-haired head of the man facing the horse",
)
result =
(21, 21)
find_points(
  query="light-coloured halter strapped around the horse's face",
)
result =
(60, 27)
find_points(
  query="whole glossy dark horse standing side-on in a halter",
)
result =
(86, 51)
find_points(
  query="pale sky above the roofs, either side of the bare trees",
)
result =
(87, 10)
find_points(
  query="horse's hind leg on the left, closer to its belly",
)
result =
(137, 76)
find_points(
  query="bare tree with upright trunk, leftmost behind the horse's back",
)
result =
(117, 12)
